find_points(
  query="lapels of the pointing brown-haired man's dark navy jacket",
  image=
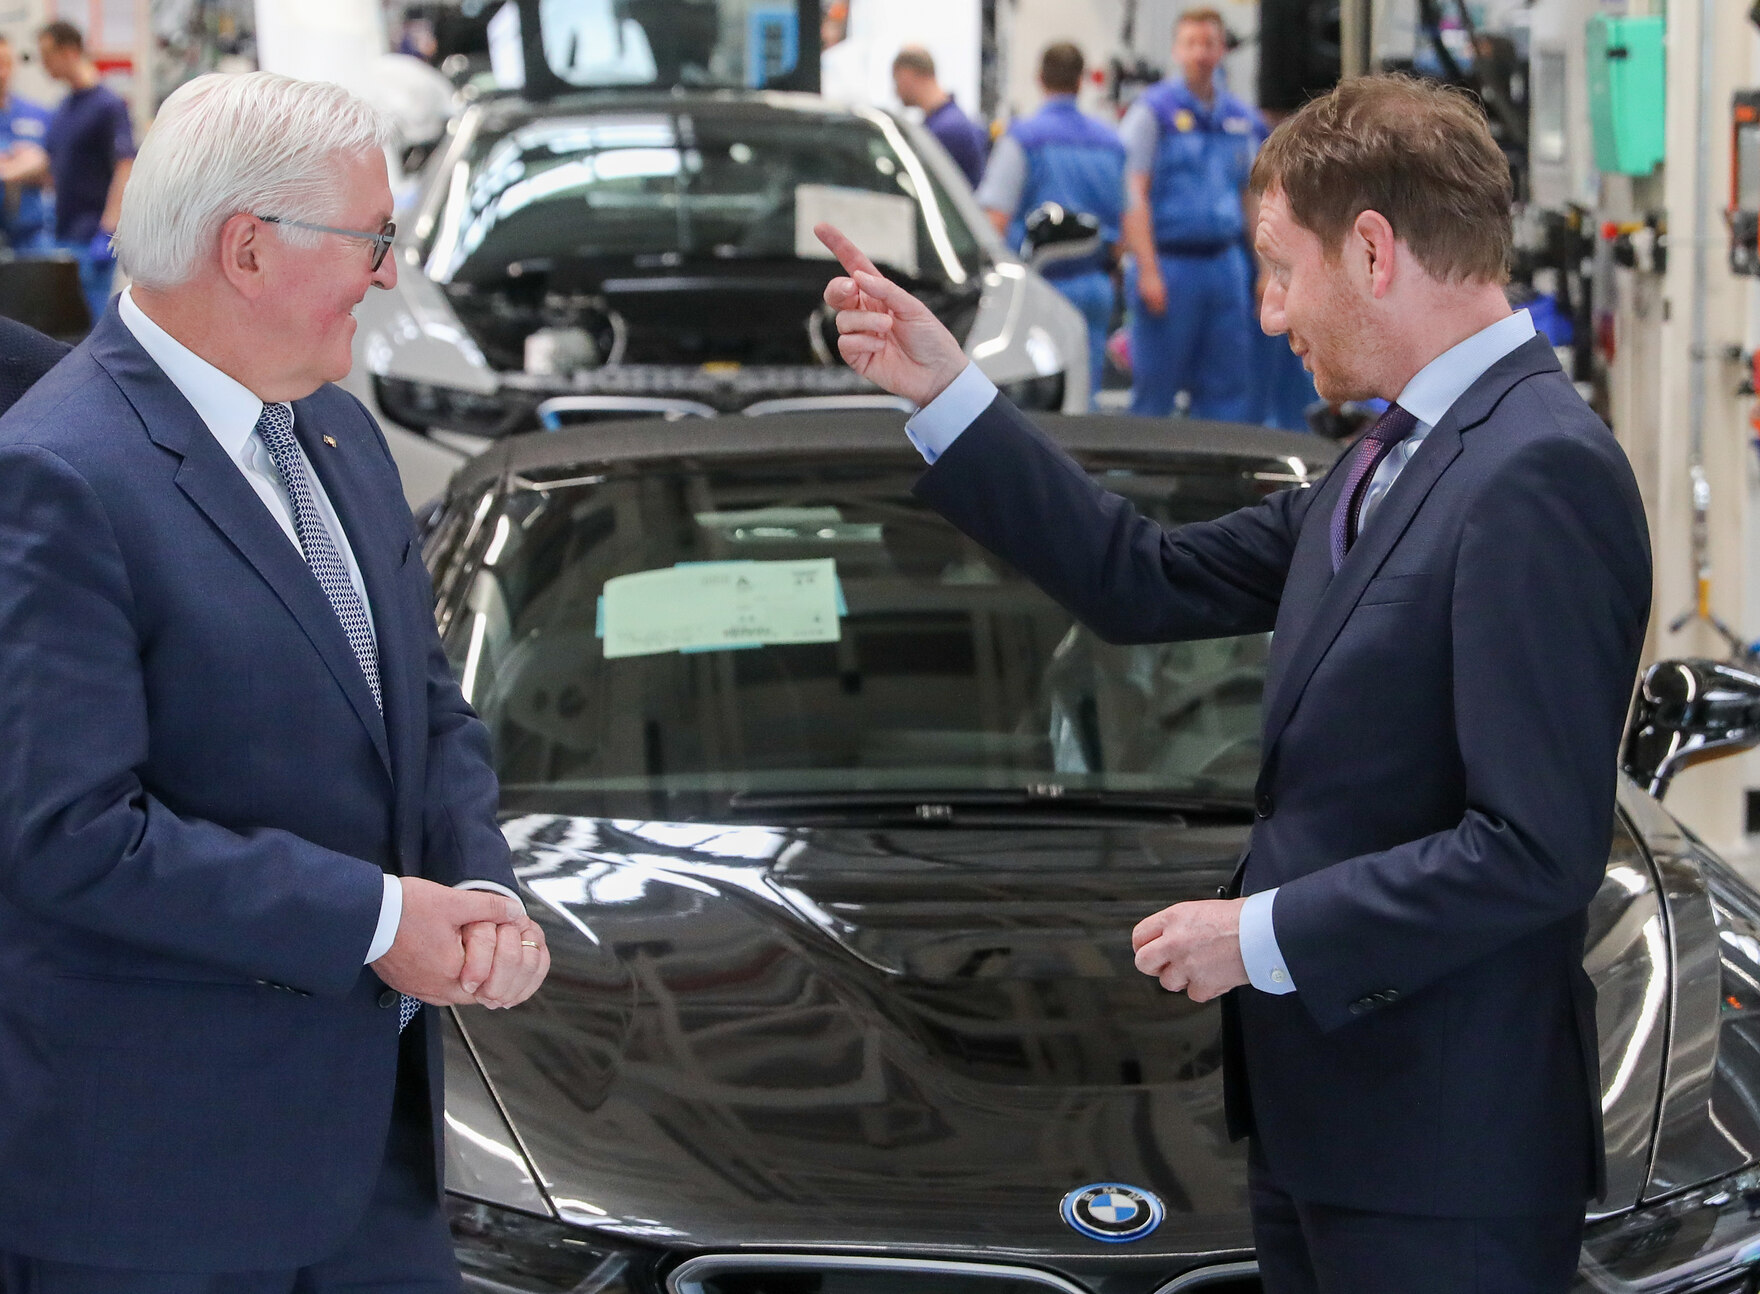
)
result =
(1324, 601)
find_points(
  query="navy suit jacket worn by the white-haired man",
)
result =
(198, 805)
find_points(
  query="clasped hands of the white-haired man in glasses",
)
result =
(464, 946)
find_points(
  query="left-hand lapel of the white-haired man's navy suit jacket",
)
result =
(219, 490)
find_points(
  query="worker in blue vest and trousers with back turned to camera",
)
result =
(1066, 158)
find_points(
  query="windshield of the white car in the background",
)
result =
(664, 189)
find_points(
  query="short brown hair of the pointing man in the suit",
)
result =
(1418, 154)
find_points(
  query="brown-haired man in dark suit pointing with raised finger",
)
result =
(1458, 612)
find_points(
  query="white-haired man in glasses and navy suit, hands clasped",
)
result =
(247, 821)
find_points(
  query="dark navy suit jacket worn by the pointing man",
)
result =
(1437, 795)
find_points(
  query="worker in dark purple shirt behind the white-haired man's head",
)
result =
(91, 145)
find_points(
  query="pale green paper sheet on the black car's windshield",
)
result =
(722, 607)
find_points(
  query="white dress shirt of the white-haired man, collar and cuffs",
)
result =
(231, 413)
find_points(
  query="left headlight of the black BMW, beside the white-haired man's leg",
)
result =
(518, 1254)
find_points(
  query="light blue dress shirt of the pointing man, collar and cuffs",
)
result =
(1428, 397)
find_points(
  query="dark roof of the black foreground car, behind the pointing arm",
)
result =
(599, 445)
